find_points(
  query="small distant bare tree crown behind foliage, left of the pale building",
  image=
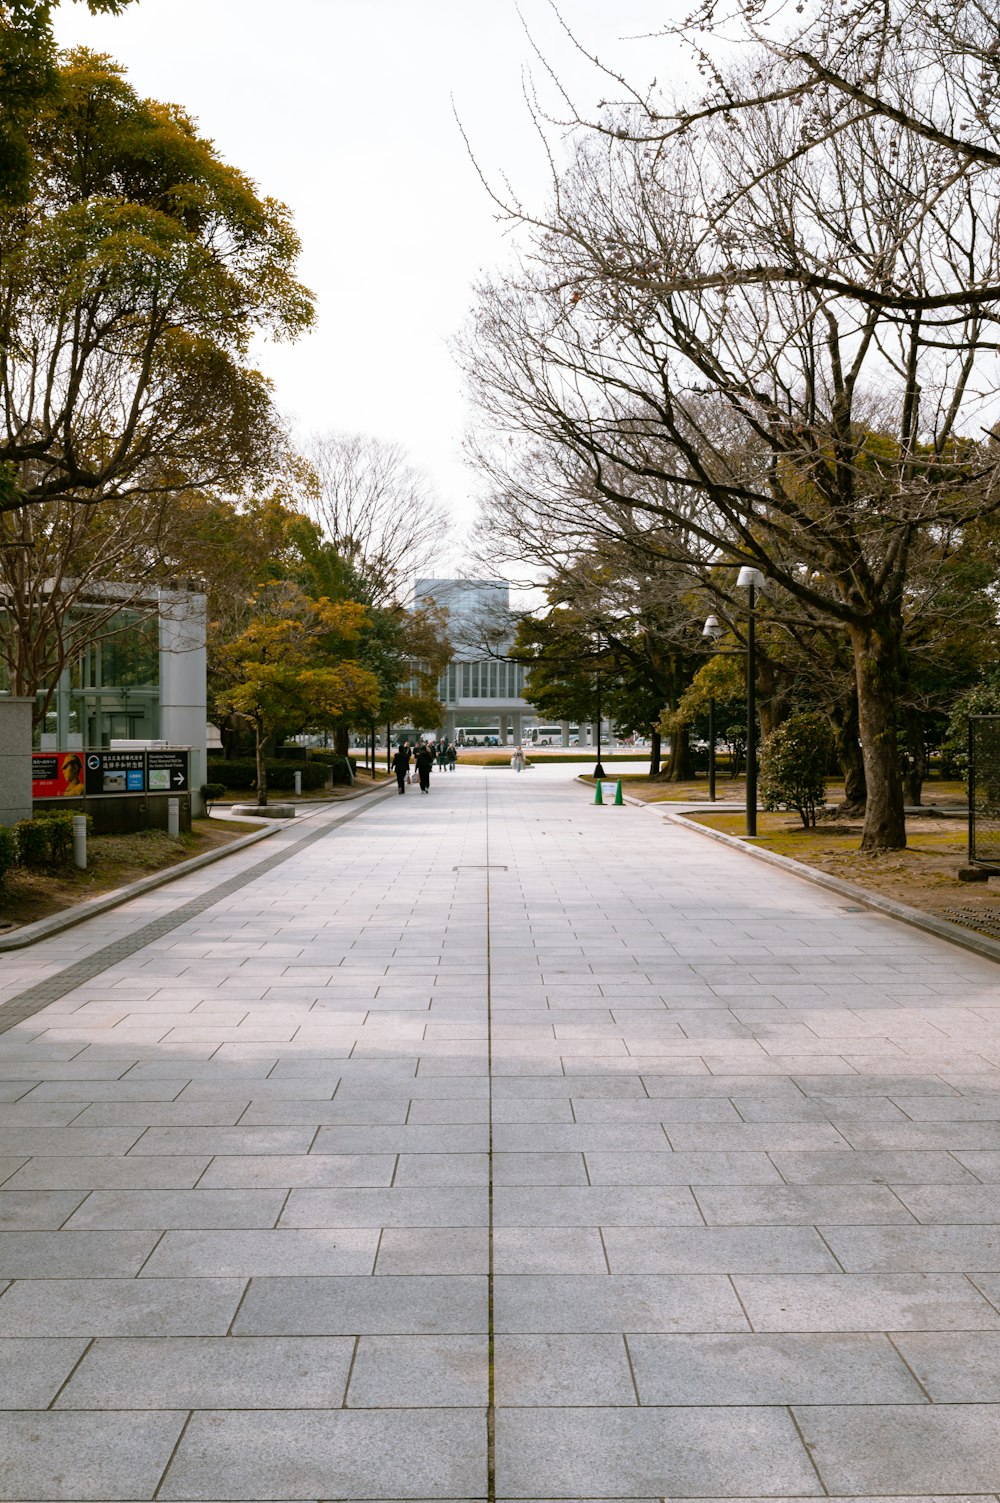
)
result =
(378, 512)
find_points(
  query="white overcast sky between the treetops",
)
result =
(344, 109)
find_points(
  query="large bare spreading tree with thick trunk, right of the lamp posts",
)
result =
(787, 336)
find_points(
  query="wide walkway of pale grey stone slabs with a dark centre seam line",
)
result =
(495, 1146)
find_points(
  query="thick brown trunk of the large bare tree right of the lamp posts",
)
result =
(877, 673)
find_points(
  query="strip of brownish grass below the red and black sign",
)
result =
(114, 862)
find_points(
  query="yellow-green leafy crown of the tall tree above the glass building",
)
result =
(132, 285)
